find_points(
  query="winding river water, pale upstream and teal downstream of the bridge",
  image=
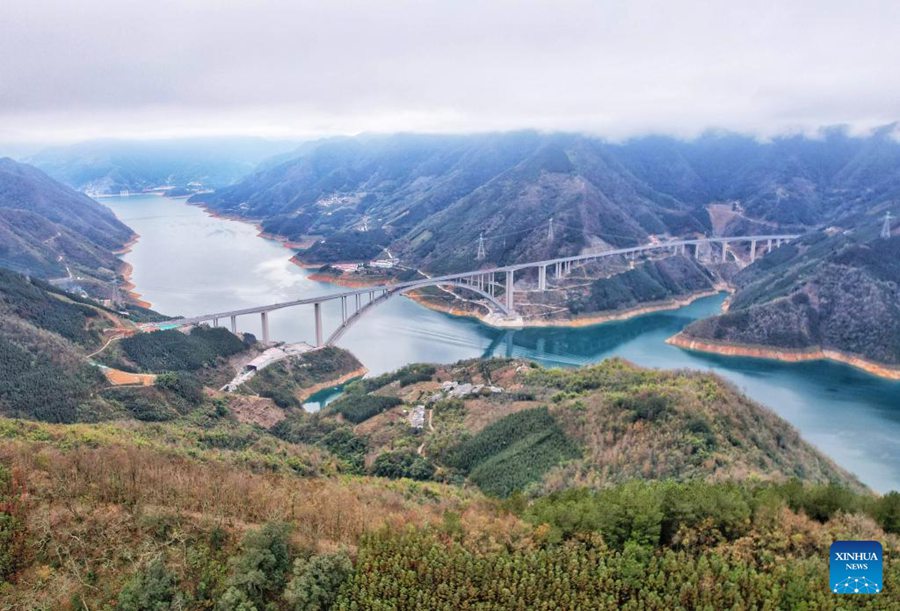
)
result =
(187, 262)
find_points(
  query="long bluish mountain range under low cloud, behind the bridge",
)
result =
(428, 198)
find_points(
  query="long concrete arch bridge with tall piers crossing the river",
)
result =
(495, 285)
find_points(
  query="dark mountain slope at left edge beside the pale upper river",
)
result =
(51, 231)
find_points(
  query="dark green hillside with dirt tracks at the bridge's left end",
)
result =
(47, 372)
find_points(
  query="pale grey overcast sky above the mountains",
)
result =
(72, 70)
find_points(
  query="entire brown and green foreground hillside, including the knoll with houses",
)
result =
(203, 511)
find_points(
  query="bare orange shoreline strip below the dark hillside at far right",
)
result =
(790, 356)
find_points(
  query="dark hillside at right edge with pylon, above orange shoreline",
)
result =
(835, 290)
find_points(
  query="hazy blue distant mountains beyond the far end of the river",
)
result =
(111, 166)
